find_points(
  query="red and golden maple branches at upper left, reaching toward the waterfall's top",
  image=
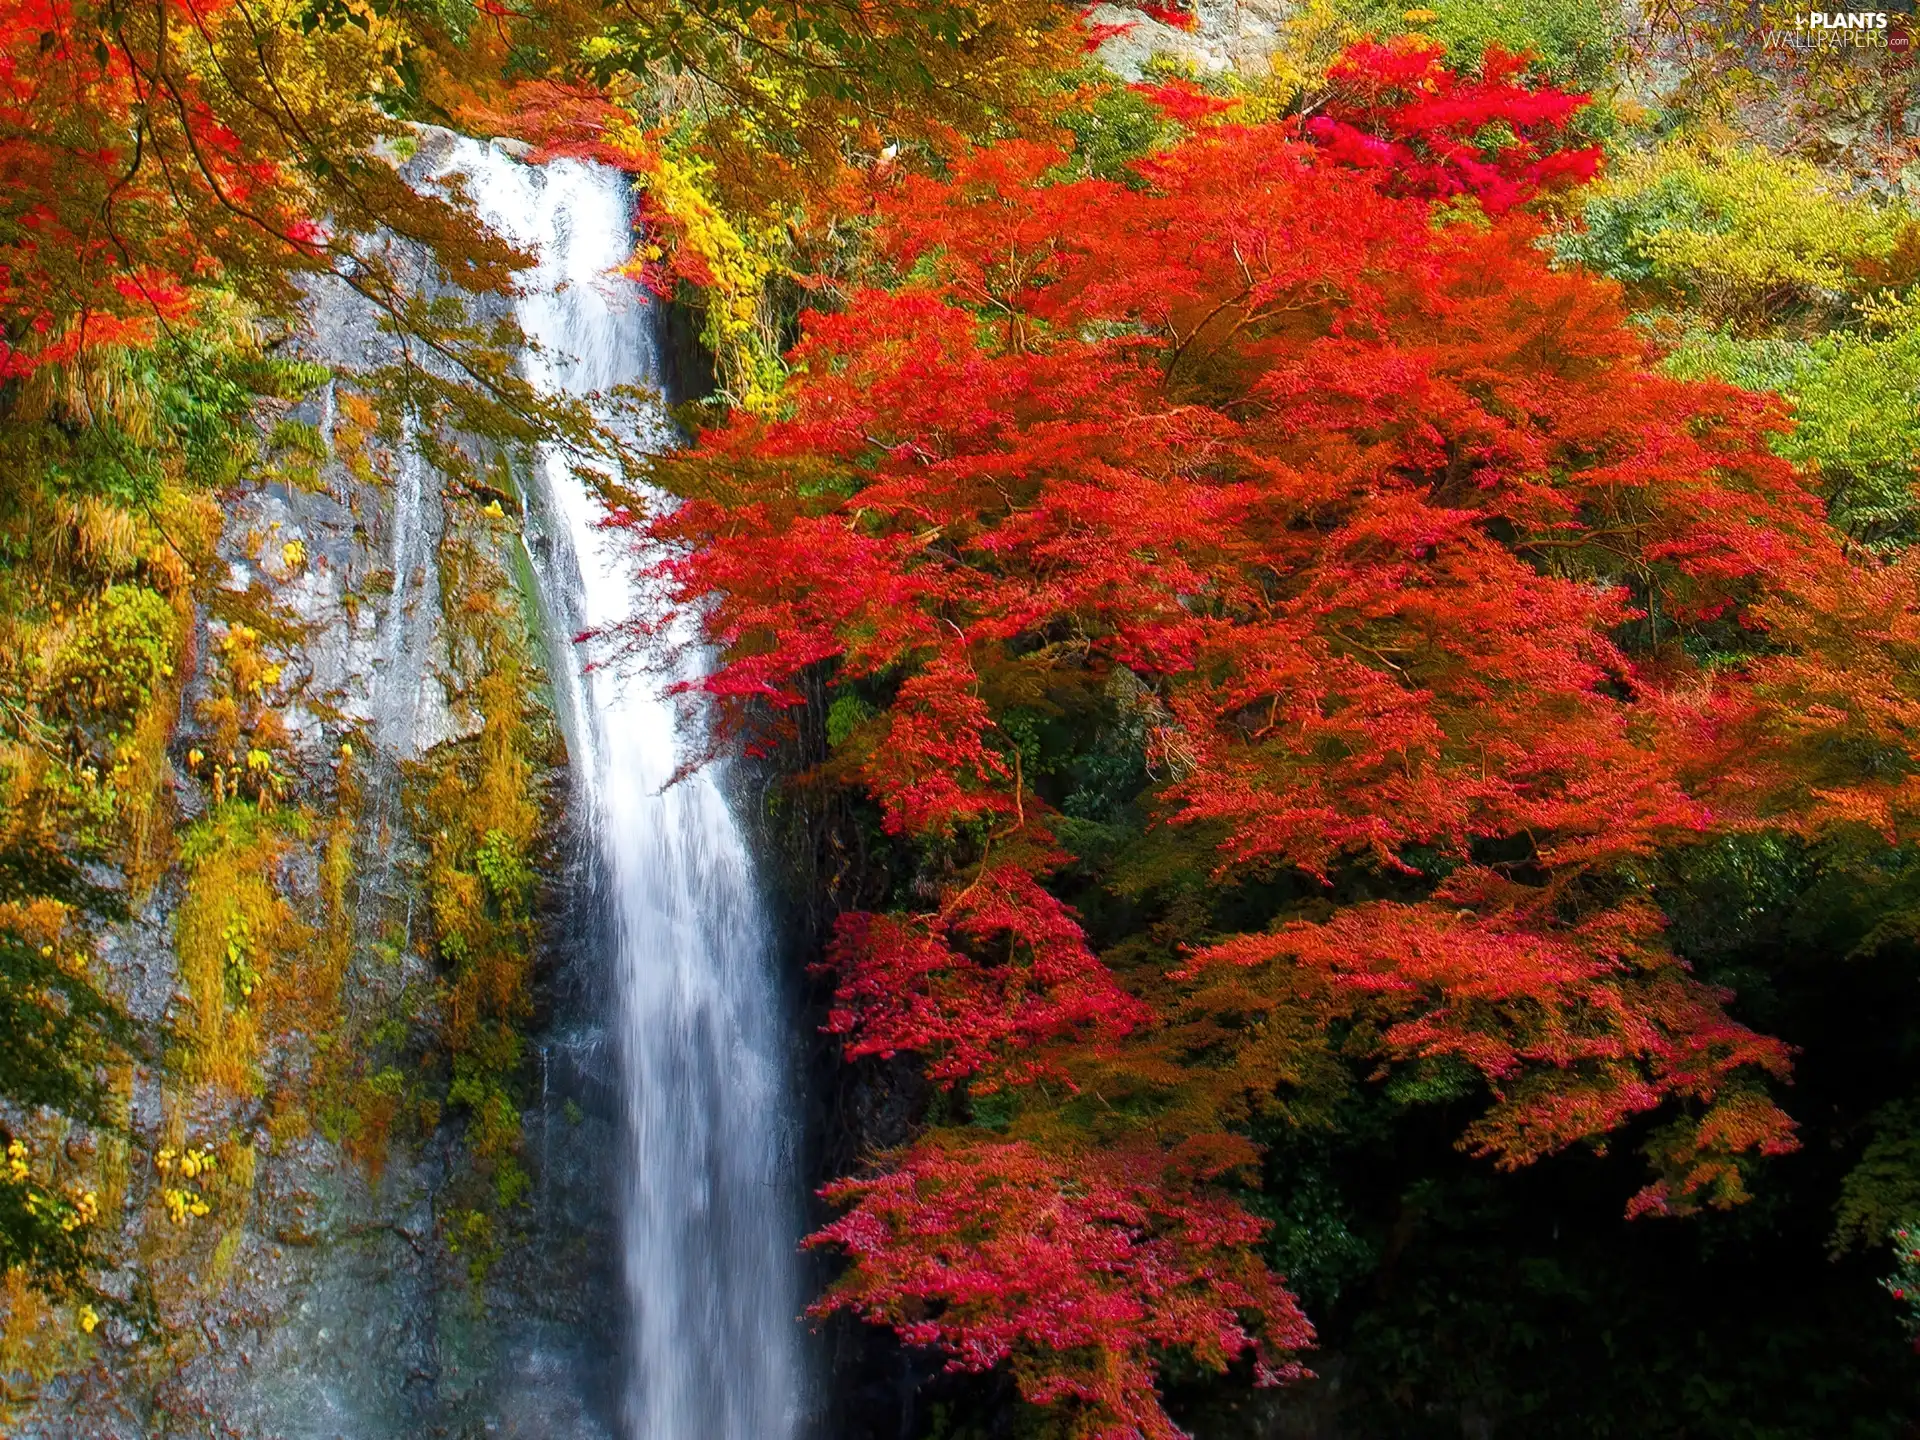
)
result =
(160, 155)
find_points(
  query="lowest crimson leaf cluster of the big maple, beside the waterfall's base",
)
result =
(997, 1251)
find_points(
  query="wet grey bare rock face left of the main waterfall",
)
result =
(320, 1299)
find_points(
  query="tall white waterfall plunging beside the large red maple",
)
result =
(711, 1214)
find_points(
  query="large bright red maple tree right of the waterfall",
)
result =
(1406, 556)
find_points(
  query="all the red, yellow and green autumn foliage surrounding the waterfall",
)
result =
(1333, 644)
